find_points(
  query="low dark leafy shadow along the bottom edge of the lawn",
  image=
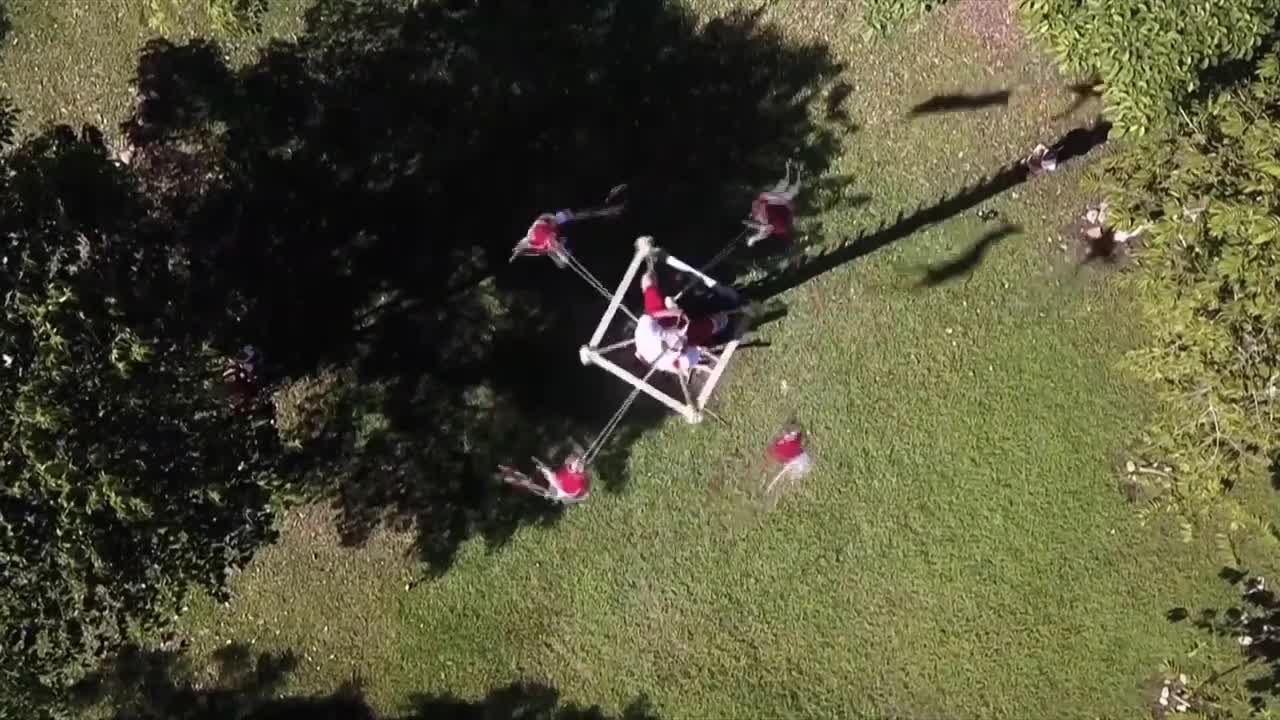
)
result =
(162, 686)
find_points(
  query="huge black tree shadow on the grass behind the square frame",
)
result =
(351, 200)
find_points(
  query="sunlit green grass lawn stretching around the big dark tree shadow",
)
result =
(961, 550)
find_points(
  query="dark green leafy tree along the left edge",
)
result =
(125, 476)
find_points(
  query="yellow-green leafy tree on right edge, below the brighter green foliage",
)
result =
(1210, 285)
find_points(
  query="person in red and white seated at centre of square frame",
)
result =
(666, 338)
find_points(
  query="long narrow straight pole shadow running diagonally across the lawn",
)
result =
(1071, 147)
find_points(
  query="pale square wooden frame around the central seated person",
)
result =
(592, 353)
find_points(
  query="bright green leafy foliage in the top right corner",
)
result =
(1151, 54)
